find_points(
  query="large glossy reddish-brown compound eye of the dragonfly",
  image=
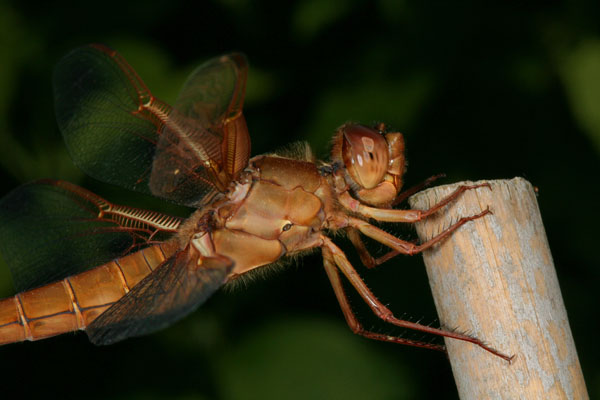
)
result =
(365, 154)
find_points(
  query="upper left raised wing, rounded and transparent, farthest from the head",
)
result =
(109, 119)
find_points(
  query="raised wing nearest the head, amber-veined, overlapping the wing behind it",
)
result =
(205, 143)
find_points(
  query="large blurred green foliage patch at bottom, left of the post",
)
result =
(347, 368)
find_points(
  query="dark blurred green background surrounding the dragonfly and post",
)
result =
(480, 91)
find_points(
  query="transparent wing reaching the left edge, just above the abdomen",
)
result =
(52, 229)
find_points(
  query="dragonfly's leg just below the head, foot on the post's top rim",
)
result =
(409, 216)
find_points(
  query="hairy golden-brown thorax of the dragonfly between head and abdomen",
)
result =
(278, 207)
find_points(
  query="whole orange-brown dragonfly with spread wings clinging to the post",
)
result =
(80, 262)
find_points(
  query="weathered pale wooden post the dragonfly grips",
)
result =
(494, 278)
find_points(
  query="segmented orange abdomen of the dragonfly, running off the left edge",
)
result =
(74, 302)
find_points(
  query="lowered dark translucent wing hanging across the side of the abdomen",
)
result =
(172, 291)
